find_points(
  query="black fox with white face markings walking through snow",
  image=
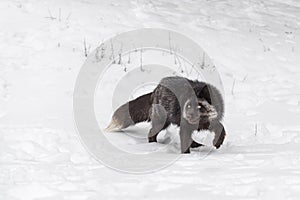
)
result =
(189, 104)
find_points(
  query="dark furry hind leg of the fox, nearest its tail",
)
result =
(159, 120)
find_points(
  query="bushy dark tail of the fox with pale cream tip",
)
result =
(131, 113)
